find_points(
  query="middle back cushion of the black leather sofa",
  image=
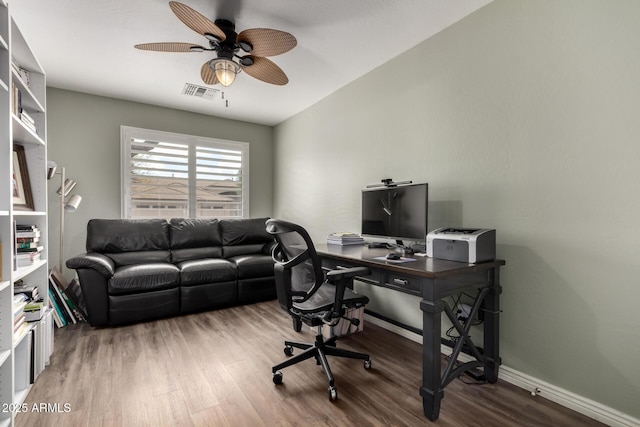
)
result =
(195, 239)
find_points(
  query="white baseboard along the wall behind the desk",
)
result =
(538, 388)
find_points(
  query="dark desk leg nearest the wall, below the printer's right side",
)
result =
(492, 326)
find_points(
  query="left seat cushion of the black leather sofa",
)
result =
(144, 277)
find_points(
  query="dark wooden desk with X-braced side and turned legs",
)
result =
(433, 280)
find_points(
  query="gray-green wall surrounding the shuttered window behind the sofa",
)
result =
(84, 137)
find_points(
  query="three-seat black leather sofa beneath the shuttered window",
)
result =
(136, 270)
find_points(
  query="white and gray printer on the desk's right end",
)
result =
(470, 245)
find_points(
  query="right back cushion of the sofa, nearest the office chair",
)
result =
(244, 236)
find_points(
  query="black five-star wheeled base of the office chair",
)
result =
(320, 349)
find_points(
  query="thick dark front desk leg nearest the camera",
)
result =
(431, 390)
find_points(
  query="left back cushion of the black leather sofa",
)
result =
(130, 241)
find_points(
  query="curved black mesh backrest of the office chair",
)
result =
(298, 269)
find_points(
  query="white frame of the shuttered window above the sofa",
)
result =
(127, 133)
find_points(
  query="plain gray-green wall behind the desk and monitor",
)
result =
(522, 117)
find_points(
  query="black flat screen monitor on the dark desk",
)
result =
(398, 213)
